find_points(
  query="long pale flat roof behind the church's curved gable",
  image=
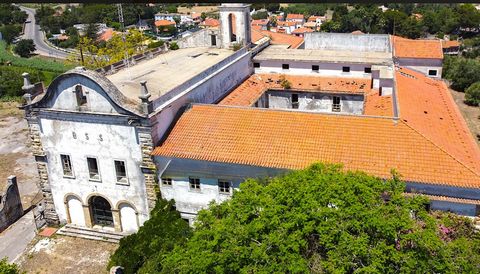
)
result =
(166, 71)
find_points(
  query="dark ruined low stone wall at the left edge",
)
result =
(10, 204)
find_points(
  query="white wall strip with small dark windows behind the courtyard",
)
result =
(305, 68)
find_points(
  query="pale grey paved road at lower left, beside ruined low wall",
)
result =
(15, 239)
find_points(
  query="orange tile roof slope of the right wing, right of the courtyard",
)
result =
(428, 107)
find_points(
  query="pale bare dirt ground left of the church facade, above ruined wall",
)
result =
(15, 155)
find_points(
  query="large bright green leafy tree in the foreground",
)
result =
(323, 220)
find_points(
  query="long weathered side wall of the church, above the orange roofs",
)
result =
(207, 87)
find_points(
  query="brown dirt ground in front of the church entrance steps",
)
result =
(63, 254)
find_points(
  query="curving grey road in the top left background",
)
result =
(32, 31)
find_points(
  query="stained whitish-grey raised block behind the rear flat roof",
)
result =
(348, 42)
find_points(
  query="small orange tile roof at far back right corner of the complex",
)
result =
(408, 48)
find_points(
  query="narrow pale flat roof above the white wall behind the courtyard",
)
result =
(329, 56)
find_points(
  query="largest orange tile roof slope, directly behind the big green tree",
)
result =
(294, 140)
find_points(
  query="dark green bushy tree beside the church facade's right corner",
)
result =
(157, 236)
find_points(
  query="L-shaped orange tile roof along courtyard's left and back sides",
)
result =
(247, 93)
